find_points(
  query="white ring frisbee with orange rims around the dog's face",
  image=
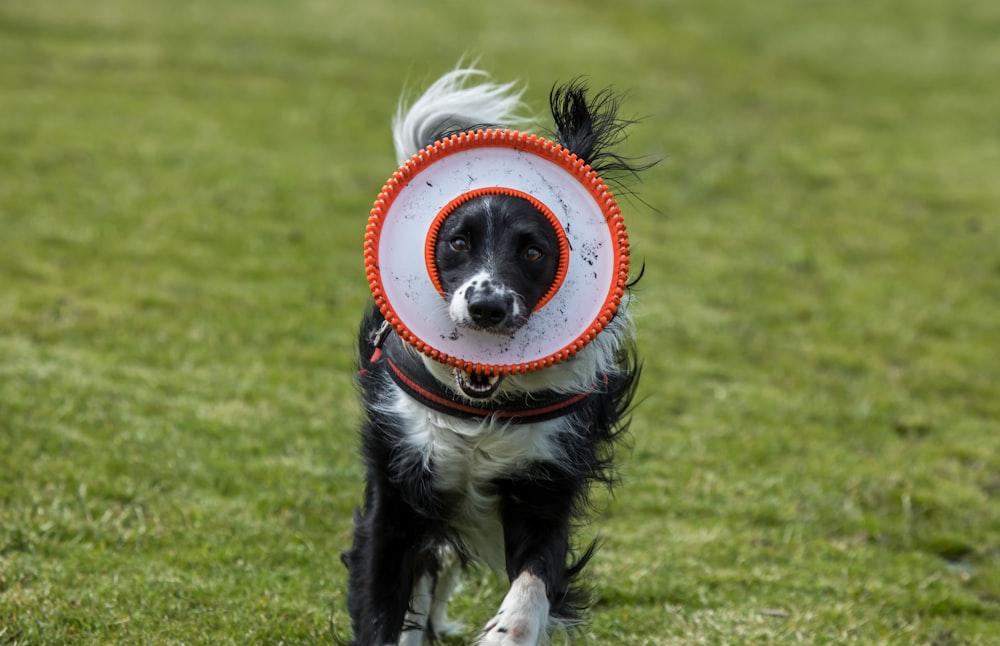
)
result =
(402, 228)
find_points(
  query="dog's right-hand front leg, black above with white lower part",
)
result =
(536, 519)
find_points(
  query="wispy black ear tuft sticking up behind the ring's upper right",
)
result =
(590, 128)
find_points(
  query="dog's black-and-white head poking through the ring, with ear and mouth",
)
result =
(499, 256)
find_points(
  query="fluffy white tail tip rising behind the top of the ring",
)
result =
(461, 100)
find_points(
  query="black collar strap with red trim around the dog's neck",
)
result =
(409, 373)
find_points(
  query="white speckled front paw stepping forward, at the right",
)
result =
(523, 616)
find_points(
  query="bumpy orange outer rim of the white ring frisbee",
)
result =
(519, 141)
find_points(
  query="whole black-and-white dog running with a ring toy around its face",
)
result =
(447, 486)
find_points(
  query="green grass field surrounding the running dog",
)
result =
(183, 193)
